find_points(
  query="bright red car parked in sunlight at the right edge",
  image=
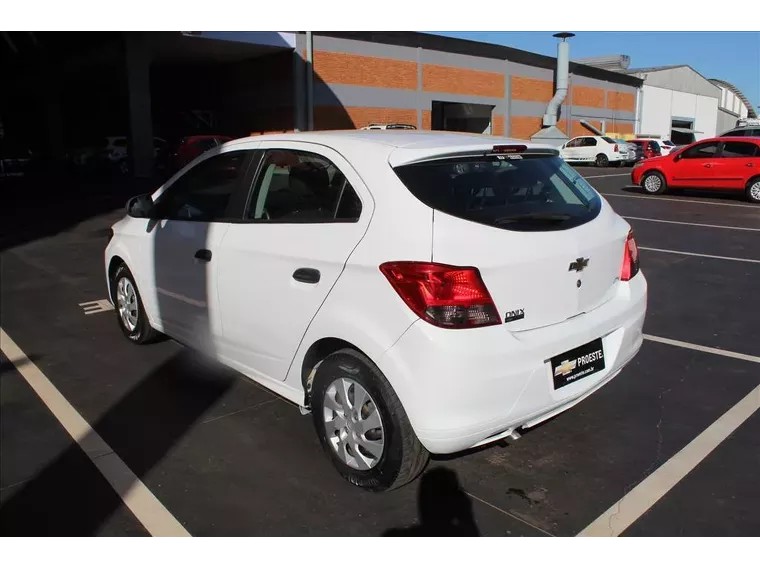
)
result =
(731, 164)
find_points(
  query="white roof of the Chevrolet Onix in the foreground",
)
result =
(398, 146)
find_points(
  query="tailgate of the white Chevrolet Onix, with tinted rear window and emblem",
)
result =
(547, 246)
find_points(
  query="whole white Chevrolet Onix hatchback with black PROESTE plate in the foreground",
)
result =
(418, 292)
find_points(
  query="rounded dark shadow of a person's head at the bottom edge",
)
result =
(445, 514)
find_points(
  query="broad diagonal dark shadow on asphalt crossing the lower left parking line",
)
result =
(68, 502)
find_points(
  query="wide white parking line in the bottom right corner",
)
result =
(618, 518)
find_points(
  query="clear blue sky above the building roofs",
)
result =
(731, 56)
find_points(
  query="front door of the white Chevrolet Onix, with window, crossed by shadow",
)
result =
(189, 222)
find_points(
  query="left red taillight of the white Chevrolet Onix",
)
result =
(445, 296)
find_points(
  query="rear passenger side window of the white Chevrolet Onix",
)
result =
(302, 187)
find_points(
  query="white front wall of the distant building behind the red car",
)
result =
(661, 106)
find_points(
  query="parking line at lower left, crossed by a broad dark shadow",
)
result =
(156, 519)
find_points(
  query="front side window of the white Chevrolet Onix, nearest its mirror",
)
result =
(204, 193)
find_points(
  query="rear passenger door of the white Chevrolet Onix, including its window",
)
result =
(307, 211)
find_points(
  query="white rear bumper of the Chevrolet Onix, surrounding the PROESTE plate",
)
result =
(465, 388)
